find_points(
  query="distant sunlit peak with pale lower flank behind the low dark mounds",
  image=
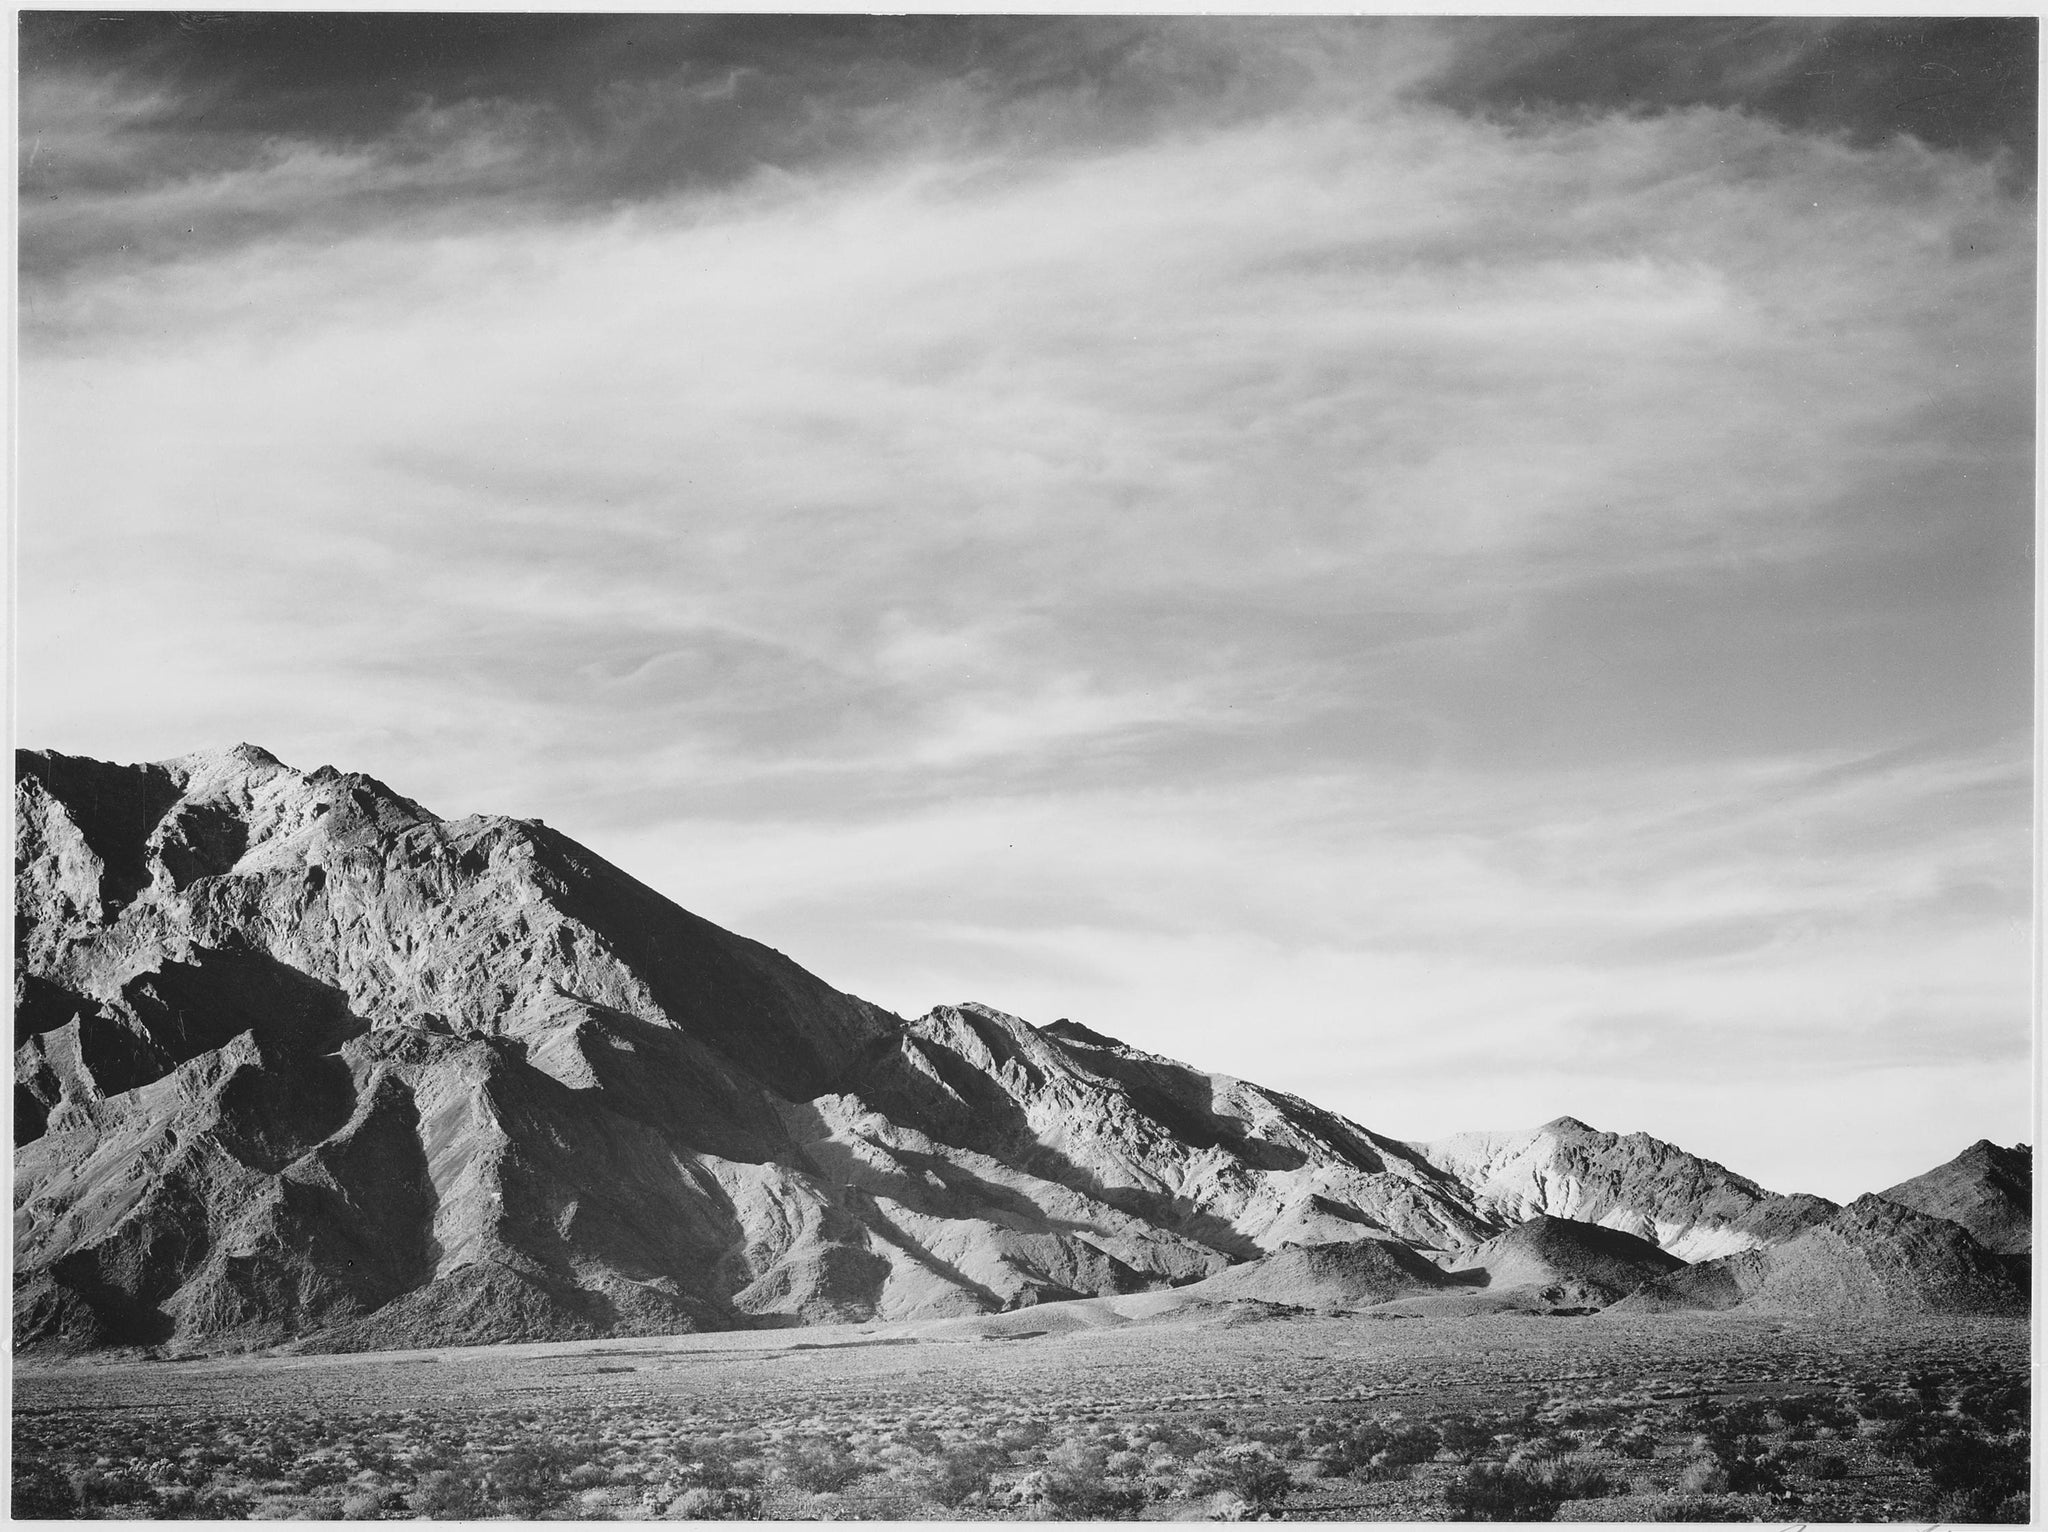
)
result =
(1637, 1185)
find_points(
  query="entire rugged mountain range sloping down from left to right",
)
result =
(300, 1062)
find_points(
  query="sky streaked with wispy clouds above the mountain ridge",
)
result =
(1469, 570)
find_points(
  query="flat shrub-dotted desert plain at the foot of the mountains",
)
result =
(1035, 1416)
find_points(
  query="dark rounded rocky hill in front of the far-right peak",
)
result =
(1873, 1259)
